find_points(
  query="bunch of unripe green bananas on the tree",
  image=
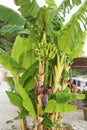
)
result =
(45, 51)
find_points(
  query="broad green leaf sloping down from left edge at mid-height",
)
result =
(9, 63)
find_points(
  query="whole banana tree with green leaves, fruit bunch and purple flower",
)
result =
(41, 58)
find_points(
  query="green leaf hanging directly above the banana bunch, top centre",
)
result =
(46, 19)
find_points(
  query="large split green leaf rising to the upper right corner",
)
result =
(69, 37)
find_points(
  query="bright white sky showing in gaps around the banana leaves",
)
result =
(10, 3)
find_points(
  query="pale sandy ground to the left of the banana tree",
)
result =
(7, 111)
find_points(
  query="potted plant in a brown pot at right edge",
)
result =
(85, 104)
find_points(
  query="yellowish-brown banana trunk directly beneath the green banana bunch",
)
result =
(39, 83)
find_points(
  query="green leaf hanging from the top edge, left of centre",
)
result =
(29, 9)
